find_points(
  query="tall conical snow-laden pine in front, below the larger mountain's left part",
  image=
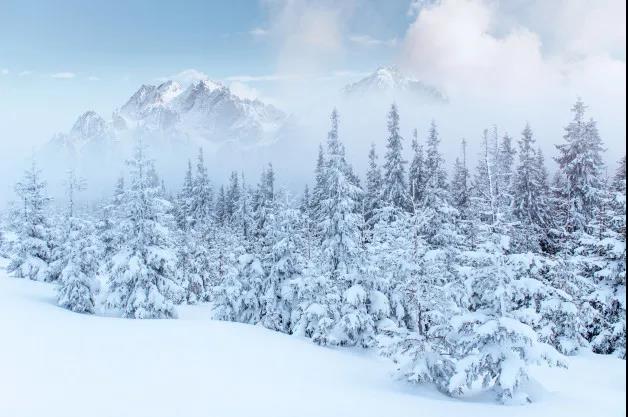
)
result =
(142, 282)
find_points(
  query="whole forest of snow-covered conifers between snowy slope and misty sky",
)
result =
(462, 280)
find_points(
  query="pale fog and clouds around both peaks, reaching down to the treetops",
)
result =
(499, 65)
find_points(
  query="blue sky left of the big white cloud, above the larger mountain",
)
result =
(59, 58)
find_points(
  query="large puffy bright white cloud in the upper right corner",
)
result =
(479, 47)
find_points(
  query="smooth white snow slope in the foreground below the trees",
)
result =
(57, 363)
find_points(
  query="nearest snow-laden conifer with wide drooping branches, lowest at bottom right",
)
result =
(484, 346)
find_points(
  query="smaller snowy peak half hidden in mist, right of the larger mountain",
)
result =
(391, 81)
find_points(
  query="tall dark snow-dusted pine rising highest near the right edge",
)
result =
(580, 162)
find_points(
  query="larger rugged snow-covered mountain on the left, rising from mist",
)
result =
(205, 112)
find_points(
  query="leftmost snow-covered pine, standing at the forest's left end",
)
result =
(32, 251)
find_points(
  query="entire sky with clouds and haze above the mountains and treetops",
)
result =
(502, 62)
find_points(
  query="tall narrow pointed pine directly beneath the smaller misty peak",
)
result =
(394, 187)
